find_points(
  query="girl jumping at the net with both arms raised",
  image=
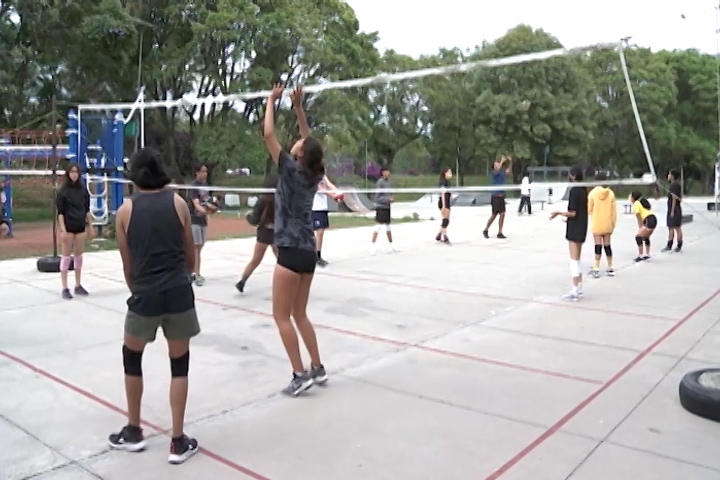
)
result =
(299, 172)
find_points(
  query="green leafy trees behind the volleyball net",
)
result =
(577, 107)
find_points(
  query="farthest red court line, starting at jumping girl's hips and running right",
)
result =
(493, 296)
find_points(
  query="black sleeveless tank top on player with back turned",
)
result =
(155, 237)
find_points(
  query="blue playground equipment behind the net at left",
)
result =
(99, 161)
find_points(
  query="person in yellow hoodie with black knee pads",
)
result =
(603, 212)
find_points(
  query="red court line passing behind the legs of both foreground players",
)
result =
(398, 343)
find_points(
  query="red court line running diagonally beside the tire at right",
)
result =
(582, 405)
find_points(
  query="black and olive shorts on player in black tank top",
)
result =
(172, 309)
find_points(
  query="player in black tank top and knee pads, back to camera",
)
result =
(154, 237)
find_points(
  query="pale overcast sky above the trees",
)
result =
(421, 27)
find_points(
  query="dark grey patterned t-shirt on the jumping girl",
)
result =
(293, 206)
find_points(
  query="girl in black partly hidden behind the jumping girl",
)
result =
(262, 217)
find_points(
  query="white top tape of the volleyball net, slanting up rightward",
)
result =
(380, 79)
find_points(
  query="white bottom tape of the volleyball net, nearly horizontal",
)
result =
(250, 190)
